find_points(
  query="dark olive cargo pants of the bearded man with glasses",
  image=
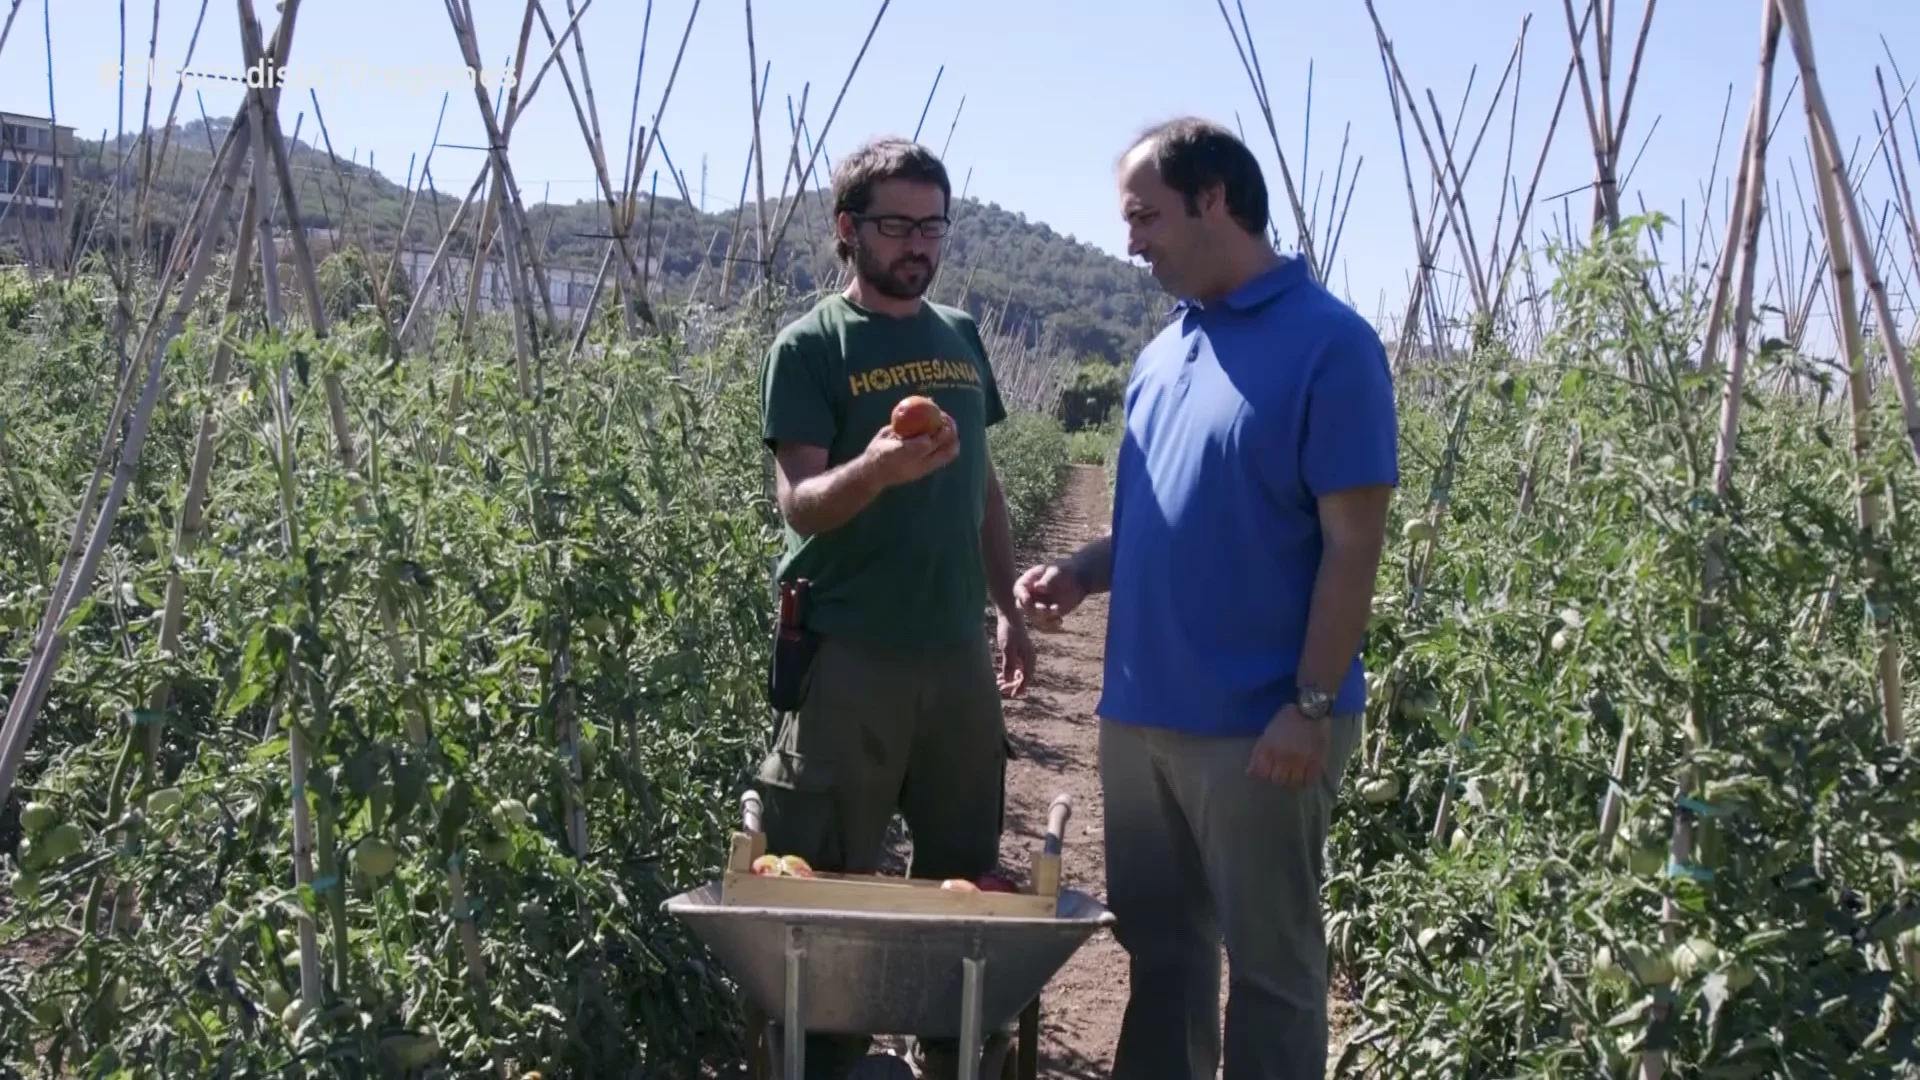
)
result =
(880, 731)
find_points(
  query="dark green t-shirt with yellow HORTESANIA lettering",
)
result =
(907, 570)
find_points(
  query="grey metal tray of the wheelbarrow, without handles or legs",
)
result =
(886, 971)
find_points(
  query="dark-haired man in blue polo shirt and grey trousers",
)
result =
(1249, 514)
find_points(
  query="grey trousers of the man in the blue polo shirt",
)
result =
(1199, 852)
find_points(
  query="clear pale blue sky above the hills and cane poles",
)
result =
(1053, 91)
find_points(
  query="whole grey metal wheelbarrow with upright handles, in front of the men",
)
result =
(876, 956)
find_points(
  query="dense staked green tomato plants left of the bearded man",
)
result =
(598, 566)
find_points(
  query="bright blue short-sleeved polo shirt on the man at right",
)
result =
(1239, 416)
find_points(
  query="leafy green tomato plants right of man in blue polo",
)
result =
(1522, 941)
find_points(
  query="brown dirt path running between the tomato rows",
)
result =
(1055, 739)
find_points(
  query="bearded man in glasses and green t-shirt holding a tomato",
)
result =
(901, 541)
